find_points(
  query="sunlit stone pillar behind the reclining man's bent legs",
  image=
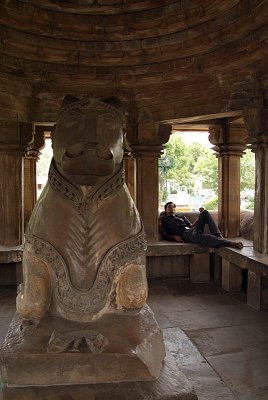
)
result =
(229, 146)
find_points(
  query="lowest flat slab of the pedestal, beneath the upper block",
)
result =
(171, 384)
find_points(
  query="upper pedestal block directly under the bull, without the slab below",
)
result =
(115, 348)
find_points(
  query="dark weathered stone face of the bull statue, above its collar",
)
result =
(88, 141)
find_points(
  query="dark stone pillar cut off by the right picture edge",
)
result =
(256, 121)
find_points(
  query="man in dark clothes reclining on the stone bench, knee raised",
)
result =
(180, 229)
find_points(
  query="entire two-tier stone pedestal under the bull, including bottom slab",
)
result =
(116, 357)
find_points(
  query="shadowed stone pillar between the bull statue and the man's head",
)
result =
(147, 187)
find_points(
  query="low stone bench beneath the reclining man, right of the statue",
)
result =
(227, 265)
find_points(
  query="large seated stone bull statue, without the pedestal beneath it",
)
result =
(84, 251)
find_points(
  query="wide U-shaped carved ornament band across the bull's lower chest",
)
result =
(93, 300)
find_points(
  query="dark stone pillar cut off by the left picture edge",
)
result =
(14, 139)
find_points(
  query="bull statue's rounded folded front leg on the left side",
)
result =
(34, 293)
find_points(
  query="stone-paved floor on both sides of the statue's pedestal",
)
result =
(218, 342)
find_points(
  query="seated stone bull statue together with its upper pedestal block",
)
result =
(84, 283)
